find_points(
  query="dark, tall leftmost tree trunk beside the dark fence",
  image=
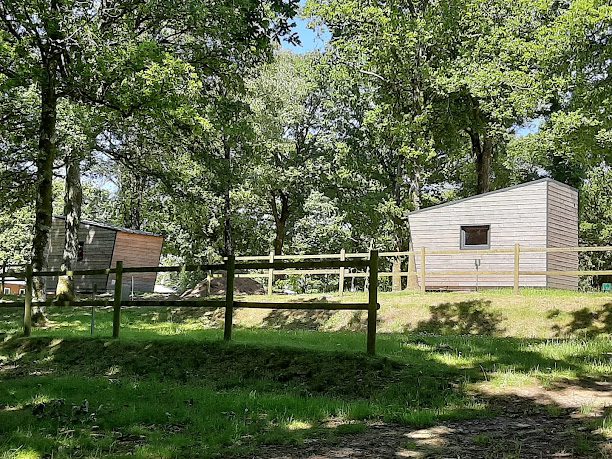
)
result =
(44, 186)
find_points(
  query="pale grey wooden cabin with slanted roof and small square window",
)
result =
(542, 213)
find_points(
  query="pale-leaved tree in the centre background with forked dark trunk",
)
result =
(286, 102)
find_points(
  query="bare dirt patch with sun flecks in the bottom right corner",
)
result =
(519, 430)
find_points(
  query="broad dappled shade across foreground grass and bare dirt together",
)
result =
(274, 397)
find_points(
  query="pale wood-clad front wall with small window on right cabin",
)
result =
(515, 215)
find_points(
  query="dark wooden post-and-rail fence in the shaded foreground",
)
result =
(369, 263)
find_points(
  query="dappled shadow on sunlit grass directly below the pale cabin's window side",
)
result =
(465, 318)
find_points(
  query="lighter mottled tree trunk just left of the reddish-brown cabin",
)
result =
(73, 199)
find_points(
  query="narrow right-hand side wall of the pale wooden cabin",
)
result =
(562, 232)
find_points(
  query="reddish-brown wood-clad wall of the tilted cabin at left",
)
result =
(137, 250)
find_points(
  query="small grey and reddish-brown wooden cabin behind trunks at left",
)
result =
(101, 246)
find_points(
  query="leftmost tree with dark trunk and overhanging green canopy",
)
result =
(106, 54)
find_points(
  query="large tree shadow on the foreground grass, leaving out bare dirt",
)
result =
(187, 398)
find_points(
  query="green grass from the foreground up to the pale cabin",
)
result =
(171, 388)
